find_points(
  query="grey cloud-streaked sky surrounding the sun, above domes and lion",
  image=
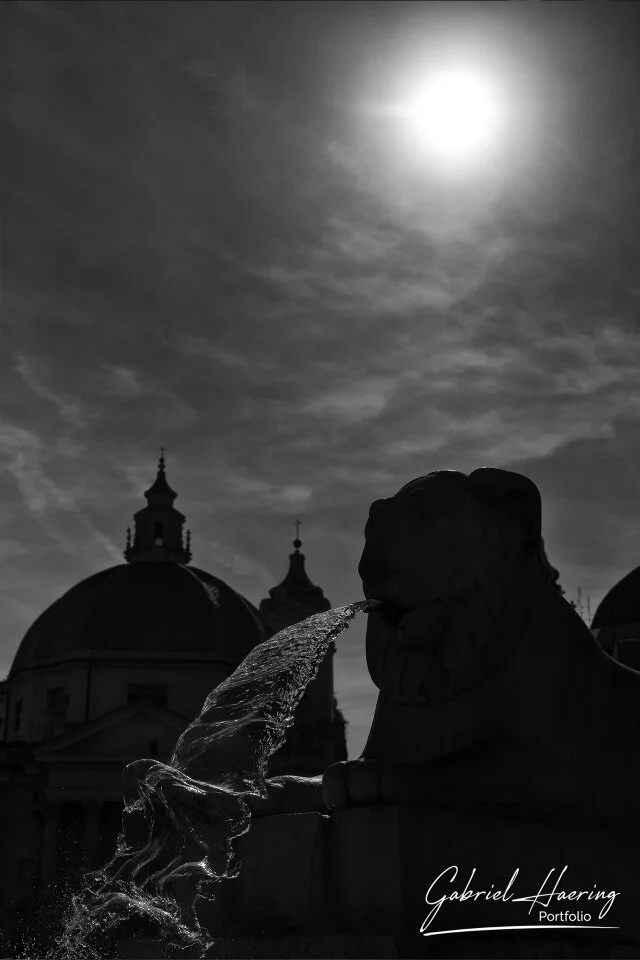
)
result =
(216, 235)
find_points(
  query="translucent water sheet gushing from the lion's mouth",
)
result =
(180, 818)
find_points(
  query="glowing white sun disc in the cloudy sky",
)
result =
(458, 115)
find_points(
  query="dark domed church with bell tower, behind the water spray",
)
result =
(114, 671)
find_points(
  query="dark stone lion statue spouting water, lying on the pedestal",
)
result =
(492, 691)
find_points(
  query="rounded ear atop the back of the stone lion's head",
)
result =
(516, 501)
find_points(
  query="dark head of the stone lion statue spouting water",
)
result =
(450, 554)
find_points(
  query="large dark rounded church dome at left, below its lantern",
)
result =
(156, 608)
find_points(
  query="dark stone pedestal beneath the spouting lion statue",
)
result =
(336, 883)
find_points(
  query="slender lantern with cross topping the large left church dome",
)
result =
(158, 526)
